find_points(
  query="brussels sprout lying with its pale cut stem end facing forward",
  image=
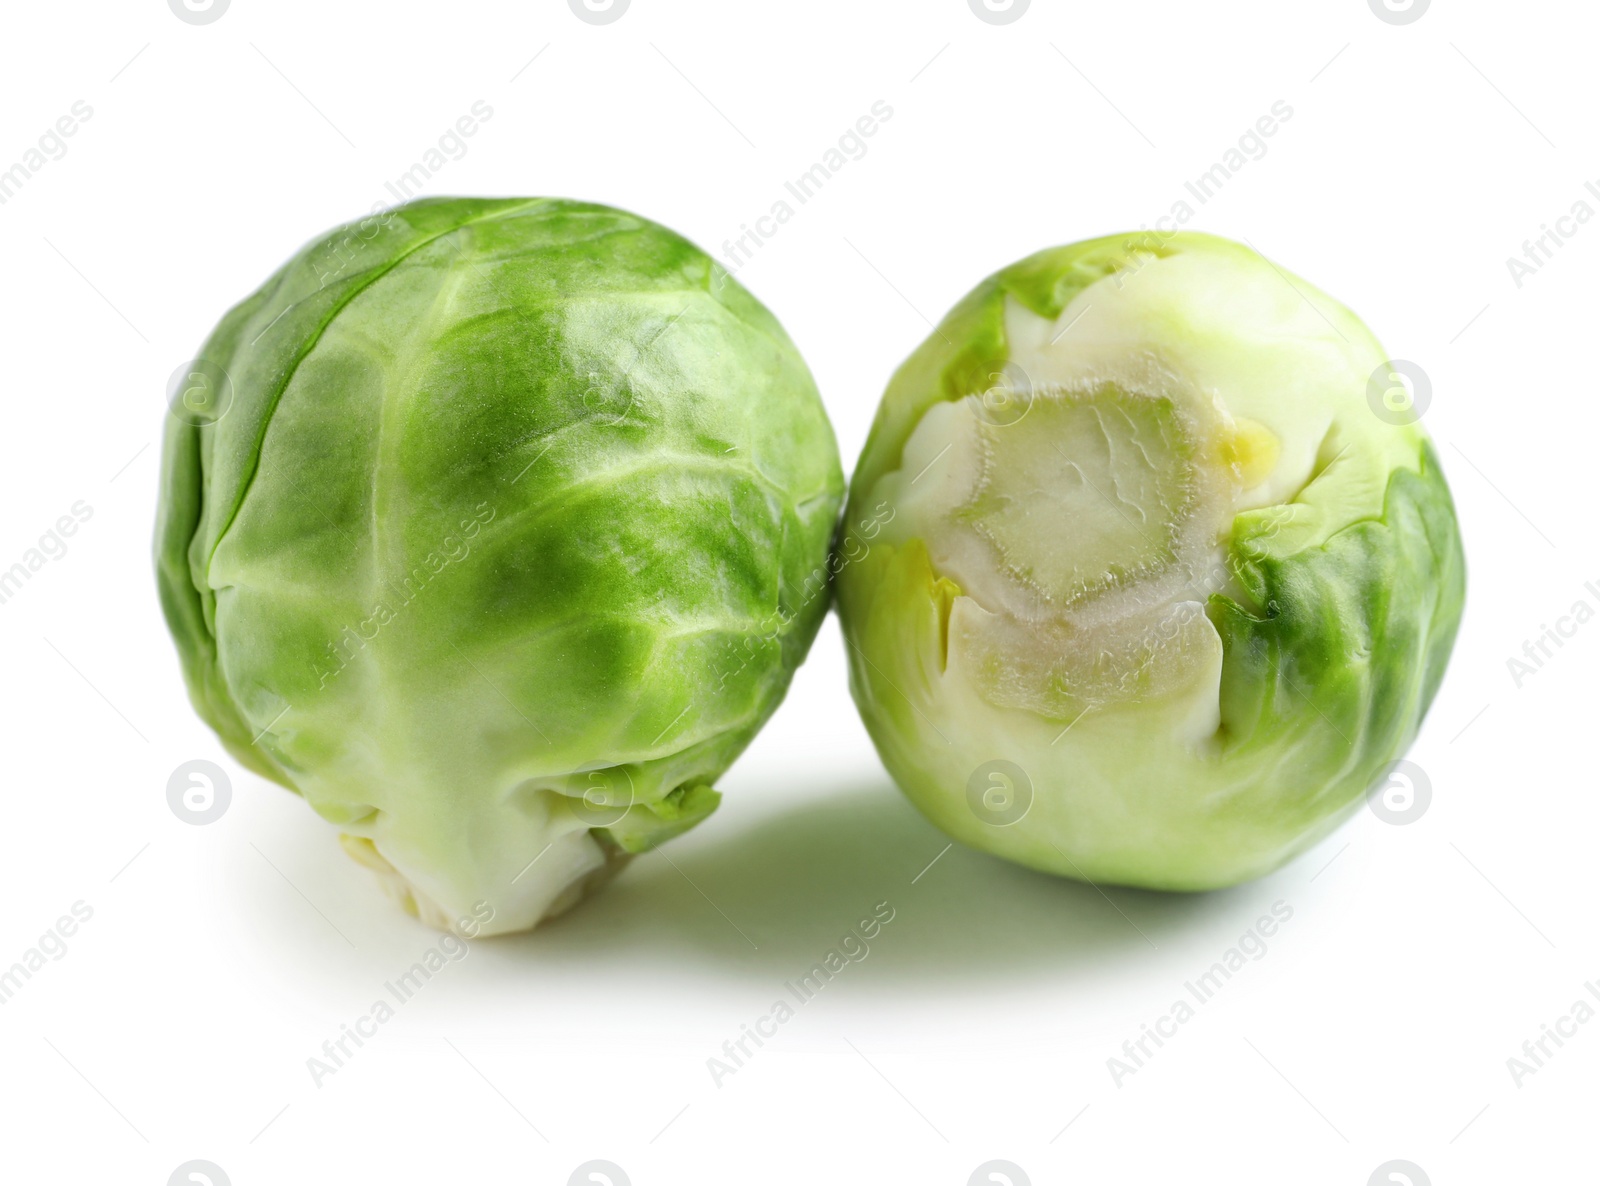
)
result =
(1146, 572)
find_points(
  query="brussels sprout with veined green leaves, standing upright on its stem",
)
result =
(497, 532)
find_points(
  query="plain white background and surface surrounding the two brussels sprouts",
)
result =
(217, 963)
